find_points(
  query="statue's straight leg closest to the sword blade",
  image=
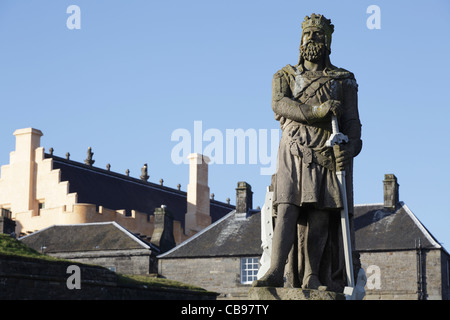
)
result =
(316, 240)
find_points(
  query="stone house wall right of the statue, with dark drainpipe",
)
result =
(393, 275)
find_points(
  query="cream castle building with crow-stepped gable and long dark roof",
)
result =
(40, 189)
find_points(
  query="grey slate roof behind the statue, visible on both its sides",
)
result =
(376, 228)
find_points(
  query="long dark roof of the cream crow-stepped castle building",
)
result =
(120, 192)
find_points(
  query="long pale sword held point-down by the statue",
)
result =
(339, 138)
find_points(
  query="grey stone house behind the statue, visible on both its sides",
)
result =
(401, 258)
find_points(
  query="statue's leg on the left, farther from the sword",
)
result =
(283, 238)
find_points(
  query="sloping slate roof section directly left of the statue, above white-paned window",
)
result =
(233, 235)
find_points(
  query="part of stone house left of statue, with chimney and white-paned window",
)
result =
(223, 257)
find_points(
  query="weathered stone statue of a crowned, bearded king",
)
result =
(307, 238)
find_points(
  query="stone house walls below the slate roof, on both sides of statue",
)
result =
(391, 275)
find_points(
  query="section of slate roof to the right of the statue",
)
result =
(378, 228)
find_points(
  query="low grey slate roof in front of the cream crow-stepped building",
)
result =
(85, 237)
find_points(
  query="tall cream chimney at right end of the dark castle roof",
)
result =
(198, 201)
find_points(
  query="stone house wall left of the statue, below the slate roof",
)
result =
(218, 274)
